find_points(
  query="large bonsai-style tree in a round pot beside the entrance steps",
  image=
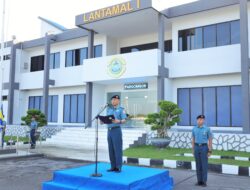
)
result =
(162, 121)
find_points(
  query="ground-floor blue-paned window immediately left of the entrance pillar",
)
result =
(74, 108)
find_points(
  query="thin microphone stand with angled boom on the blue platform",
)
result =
(96, 174)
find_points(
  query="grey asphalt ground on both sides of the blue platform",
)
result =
(29, 173)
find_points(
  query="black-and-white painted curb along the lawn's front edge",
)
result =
(174, 164)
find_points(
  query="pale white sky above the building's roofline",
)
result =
(21, 15)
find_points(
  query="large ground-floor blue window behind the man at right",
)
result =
(220, 105)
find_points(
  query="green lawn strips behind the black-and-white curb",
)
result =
(170, 154)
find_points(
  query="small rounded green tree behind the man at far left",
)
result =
(40, 118)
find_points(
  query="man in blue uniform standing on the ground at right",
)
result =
(202, 149)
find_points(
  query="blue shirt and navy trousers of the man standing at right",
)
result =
(201, 136)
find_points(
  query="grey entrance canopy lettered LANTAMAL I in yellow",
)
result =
(131, 18)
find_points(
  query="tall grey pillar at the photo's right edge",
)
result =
(244, 41)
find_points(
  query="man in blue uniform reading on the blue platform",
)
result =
(115, 134)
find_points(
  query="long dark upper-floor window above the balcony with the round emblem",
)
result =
(143, 47)
